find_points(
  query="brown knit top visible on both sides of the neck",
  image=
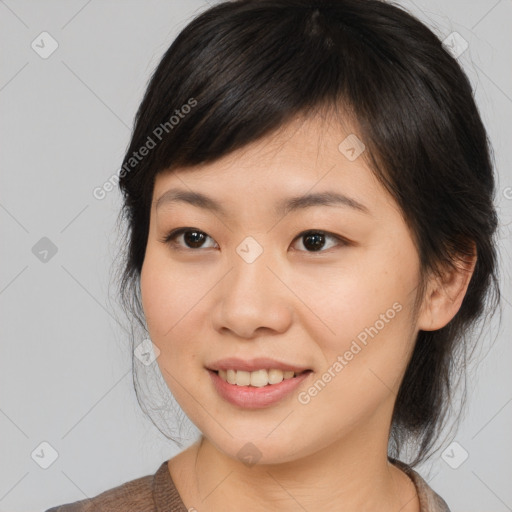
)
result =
(157, 493)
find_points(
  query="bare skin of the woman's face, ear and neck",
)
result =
(296, 305)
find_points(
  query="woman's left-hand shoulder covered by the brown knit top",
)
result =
(138, 494)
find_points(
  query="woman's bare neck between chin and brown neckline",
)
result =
(350, 475)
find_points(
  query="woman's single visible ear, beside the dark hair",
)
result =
(444, 295)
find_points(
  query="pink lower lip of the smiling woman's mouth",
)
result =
(250, 397)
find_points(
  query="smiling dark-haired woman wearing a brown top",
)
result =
(309, 205)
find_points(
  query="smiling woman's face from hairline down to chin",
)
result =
(324, 286)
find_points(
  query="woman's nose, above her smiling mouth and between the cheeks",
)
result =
(252, 300)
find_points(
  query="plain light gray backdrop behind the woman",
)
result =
(65, 362)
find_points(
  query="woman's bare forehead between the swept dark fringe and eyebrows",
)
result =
(306, 156)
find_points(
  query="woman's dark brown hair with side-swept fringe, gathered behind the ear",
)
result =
(248, 67)
